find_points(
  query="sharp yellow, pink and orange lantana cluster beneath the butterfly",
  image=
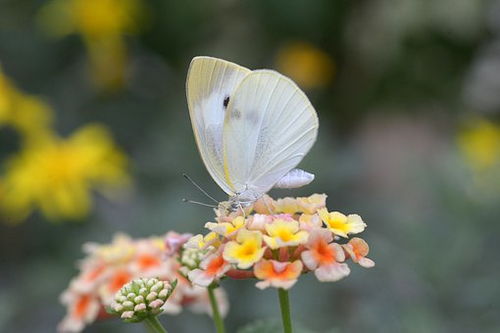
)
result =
(276, 241)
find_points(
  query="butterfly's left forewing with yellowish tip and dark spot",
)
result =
(210, 85)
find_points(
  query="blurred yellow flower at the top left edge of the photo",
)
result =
(102, 25)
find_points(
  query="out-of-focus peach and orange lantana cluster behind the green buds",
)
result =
(107, 268)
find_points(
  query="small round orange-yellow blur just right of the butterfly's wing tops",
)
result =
(306, 64)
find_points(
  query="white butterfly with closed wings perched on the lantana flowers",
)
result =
(252, 128)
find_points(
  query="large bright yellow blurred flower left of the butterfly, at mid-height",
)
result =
(56, 175)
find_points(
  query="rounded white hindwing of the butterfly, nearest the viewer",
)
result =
(269, 127)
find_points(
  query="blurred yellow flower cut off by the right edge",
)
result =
(480, 145)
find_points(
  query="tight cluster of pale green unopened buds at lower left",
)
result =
(141, 298)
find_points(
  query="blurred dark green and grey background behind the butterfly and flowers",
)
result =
(408, 96)
